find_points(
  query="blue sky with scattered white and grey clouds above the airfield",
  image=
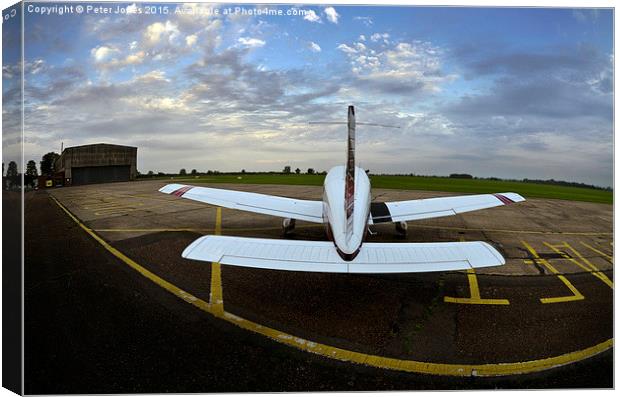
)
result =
(502, 92)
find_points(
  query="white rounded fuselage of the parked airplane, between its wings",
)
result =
(348, 239)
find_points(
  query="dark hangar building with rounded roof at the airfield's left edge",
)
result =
(97, 163)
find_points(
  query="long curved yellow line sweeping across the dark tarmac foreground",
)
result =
(349, 355)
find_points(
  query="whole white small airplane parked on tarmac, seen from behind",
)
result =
(347, 211)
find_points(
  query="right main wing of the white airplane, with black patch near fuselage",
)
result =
(398, 211)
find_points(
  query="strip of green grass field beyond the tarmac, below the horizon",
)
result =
(421, 183)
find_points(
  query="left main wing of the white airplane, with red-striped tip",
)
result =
(306, 210)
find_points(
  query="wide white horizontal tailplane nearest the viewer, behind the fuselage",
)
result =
(321, 256)
